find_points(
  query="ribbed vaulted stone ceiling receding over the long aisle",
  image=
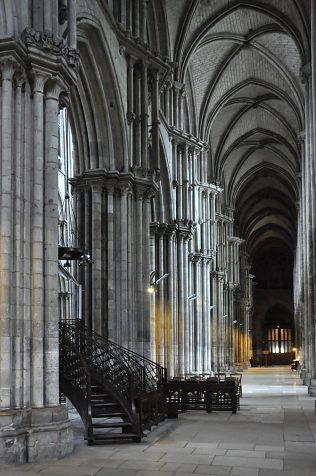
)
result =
(244, 60)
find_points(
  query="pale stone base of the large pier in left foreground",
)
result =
(34, 435)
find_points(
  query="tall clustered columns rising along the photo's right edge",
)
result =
(304, 275)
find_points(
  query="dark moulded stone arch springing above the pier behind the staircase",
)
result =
(97, 113)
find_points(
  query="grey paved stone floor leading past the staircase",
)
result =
(274, 433)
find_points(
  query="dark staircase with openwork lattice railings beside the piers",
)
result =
(117, 392)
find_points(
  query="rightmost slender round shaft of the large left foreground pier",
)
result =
(50, 328)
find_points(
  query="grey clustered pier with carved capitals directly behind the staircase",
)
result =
(113, 211)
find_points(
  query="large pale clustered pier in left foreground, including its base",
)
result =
(28, 265)
